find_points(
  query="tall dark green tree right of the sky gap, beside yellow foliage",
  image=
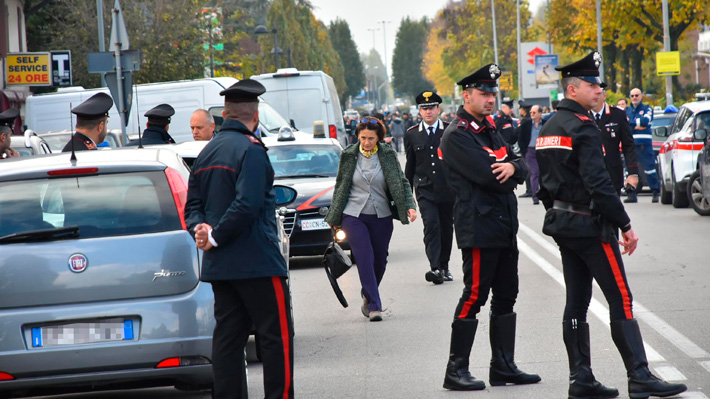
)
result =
(407, 75)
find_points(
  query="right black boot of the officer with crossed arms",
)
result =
(503, 369)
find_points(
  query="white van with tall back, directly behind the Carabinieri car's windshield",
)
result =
(304, 97)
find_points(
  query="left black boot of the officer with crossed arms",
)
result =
(458, 377)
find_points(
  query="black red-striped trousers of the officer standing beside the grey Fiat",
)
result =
(265, 304)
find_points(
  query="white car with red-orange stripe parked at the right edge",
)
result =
(678, 156)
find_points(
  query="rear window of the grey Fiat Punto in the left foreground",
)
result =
(104, 205)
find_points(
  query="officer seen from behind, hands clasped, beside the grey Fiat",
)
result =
(230, 208)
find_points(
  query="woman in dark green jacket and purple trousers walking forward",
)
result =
(370, 191)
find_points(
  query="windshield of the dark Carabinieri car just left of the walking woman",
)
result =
(304, 160)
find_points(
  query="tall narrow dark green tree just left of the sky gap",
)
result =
(344, 44)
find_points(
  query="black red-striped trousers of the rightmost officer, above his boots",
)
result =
(584, 259)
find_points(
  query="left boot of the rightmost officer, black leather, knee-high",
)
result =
(582, 384)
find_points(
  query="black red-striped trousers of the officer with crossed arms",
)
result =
(485, 270)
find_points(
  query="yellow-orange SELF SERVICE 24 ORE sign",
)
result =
(31, 69)
